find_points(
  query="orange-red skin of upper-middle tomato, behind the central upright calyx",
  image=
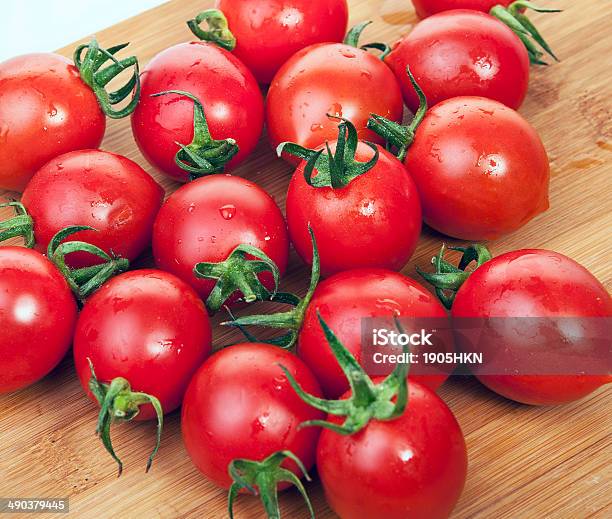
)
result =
(334, 79)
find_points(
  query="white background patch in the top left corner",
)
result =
(45, 25)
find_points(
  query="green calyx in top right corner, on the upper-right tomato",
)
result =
(514, 17)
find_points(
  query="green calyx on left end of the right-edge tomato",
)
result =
(447, 279)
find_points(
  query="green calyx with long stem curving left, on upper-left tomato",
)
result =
(204, 155)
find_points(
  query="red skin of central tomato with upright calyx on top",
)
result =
(374, 221)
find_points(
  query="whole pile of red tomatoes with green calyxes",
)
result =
(258, 416)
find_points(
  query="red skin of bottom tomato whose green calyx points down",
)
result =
(240, 404)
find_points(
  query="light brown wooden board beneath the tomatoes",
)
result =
(524, 462)
